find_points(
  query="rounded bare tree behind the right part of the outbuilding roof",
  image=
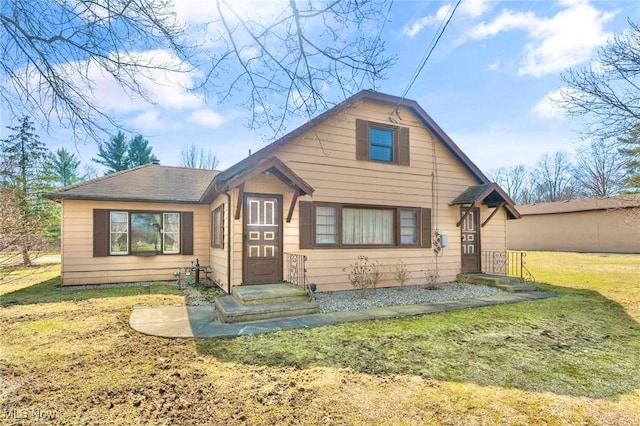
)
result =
(600, 169)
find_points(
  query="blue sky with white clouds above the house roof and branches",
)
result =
(487, 84)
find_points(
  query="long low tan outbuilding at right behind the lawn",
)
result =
(592, 225)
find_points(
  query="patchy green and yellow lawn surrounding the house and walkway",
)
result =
(573, 359)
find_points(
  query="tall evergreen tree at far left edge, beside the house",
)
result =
(26, 218)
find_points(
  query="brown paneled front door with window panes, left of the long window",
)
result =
(262, 262)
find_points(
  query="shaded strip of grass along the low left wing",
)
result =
(47, 292)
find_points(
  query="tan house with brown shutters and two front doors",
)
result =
(373, 176)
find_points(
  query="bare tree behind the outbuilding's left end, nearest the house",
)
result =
(552, 179)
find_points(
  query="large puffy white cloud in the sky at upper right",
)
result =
(559, 42)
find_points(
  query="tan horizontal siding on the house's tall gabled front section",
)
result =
(326, 158)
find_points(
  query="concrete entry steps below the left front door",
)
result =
(266, 301)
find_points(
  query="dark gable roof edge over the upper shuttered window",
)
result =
(251, 161)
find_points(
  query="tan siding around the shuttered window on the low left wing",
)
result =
(80, 267)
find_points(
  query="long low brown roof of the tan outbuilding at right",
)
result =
(584, 204)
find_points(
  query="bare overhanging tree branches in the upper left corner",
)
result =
(52, 50)
